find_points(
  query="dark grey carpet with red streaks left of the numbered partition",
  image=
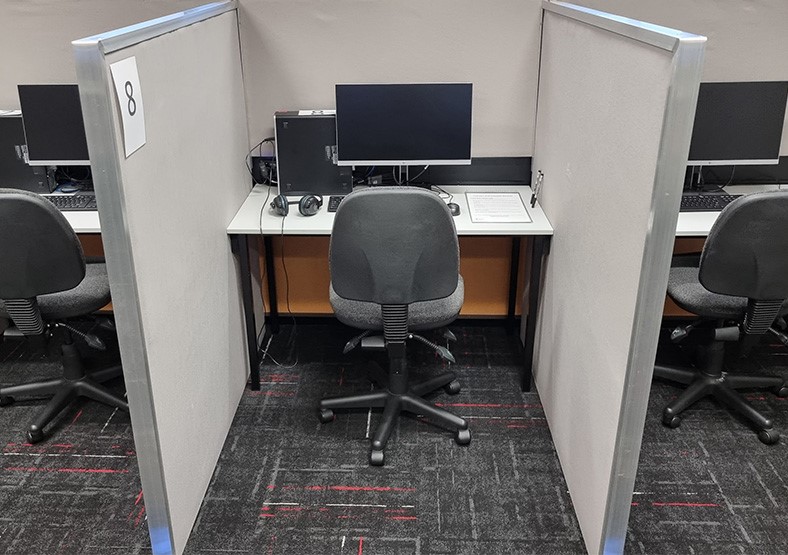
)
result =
(79, 490)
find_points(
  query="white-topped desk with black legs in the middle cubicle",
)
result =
(253, 218)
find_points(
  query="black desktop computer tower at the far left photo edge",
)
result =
(14, 172)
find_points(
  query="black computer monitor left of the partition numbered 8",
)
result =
(54, 131)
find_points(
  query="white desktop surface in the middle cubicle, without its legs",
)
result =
(256, 217)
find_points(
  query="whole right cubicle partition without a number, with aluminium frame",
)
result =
(614, 118)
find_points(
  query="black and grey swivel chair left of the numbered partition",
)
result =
(44, 281)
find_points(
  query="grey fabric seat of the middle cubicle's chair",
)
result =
(421, 315)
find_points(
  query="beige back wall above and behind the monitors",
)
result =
(295, 50)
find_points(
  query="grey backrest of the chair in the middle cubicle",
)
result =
(394, 246)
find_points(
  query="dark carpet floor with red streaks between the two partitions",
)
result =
(287, 484)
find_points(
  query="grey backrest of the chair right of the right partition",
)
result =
(746, 252)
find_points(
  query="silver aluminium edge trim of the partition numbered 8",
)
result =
(96, 93)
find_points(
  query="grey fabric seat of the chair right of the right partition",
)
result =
(685, 289)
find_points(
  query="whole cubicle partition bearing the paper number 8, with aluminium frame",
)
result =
(164, 208)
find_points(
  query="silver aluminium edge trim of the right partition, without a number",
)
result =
(688, 51)
